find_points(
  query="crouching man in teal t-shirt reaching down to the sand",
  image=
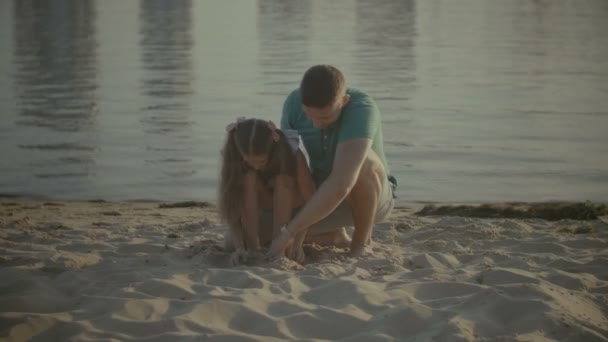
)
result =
(342, 131)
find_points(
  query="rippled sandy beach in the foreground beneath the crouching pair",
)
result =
(127, 271)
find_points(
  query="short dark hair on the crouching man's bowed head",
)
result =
(321, 85)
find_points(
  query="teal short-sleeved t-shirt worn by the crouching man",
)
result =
(360, 118)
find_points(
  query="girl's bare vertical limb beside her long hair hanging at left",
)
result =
(249, 217)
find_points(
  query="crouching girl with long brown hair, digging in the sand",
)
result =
(264, 177)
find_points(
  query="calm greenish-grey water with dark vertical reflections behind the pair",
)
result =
(482, 100)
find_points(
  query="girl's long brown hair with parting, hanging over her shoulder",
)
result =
(249, 137)
